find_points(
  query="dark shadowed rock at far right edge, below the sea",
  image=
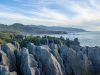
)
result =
(94, 56)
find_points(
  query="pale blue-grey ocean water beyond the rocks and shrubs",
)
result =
(86, 38)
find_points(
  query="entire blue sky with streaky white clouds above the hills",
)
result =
(66, 13)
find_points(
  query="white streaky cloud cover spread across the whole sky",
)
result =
(85, 14)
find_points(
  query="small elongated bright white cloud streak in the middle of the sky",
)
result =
(50, 14)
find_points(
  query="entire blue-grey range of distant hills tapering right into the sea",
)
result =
(38, 29)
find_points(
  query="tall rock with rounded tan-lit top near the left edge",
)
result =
(9, 50)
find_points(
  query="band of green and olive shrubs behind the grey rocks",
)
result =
(6, 37)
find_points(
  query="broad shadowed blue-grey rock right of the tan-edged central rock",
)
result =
(76, 63)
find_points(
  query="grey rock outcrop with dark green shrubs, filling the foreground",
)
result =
(48, 56)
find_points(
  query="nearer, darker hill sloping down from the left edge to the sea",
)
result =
(27, 29)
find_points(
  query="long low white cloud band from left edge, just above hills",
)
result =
(33, 20)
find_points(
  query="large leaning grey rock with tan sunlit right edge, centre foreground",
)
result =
(50, 65)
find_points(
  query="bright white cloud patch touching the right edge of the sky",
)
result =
(84, 14)
